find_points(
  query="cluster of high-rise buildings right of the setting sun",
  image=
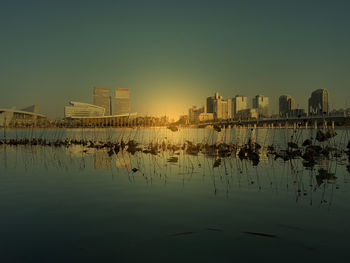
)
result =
(218, 108)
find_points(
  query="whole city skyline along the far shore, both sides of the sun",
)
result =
(217, 105)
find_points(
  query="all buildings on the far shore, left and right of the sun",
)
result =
(114, 110)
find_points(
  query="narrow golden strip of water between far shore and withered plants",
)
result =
(278, 137)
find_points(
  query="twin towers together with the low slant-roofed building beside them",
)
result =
(104, 105)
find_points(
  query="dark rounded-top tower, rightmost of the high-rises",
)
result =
(318, 102)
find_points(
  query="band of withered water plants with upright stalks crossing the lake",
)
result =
(312, 149)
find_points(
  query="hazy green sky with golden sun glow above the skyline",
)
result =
(172, 54)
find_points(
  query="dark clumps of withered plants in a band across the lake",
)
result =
(312, 152)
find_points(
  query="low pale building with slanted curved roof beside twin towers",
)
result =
(83, 110)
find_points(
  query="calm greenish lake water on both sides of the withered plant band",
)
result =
(83, 205)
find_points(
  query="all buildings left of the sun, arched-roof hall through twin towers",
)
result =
(106, 110)
